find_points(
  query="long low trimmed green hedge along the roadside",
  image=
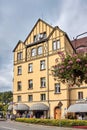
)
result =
(53, 122)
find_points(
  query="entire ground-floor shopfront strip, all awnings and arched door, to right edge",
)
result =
(53, 110)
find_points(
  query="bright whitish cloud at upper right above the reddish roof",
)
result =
(73, 17)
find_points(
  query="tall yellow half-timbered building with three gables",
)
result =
(34, 89)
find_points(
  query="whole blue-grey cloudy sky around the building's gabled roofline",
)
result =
(17, 18)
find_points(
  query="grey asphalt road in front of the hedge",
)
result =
(12, 125)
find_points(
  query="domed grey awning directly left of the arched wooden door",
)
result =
(39, 106)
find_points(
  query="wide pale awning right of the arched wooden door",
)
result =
(79, 107)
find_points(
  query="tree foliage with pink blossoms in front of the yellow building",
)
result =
(71, 69)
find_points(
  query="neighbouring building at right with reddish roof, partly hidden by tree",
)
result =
(78, 97)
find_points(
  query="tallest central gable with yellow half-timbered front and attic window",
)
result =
(40, 31)
